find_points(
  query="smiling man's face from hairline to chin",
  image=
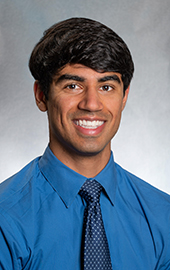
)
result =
(84, 110)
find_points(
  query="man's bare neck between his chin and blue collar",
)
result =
(88, 166)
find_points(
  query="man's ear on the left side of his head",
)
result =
(39, 97)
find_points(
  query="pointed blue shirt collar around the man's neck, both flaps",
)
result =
(67, 188)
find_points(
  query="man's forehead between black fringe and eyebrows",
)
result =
(86, 73)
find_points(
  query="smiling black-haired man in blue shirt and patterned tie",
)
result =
(82, 72)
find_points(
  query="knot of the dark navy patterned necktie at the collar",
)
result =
(91, 191)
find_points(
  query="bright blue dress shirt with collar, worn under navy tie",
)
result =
(41, 218)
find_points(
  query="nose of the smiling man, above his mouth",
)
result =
(91, 101)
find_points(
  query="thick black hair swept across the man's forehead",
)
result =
(83, 41)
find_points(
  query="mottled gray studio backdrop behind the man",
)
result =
(142, 144)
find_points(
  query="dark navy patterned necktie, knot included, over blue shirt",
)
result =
(96, 255)
